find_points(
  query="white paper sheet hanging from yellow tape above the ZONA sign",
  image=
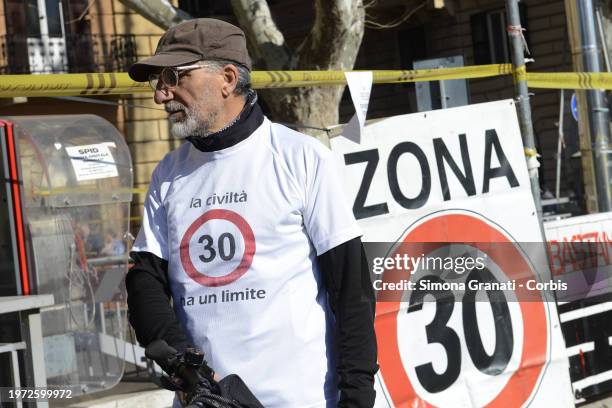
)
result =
(360, 85)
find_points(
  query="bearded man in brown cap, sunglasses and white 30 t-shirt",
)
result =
(245, 228)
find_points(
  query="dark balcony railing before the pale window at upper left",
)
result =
(86, 53)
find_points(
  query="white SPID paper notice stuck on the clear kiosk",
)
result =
(91, 162)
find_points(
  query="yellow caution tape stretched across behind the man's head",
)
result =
(120, 83)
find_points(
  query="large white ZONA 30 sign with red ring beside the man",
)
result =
(456, 175)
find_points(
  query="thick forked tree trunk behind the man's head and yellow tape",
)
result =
(332, 44)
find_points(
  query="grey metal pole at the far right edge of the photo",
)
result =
(597, 107)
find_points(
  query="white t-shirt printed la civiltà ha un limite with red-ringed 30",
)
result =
(241, 228)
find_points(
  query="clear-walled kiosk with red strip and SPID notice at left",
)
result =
(64, 227)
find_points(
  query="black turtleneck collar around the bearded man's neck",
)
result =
(249, 119)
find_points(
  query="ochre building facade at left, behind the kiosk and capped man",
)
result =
(76, 36)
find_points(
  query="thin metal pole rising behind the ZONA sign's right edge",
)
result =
(515, 34)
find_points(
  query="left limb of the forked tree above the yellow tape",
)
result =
(265, 38)
